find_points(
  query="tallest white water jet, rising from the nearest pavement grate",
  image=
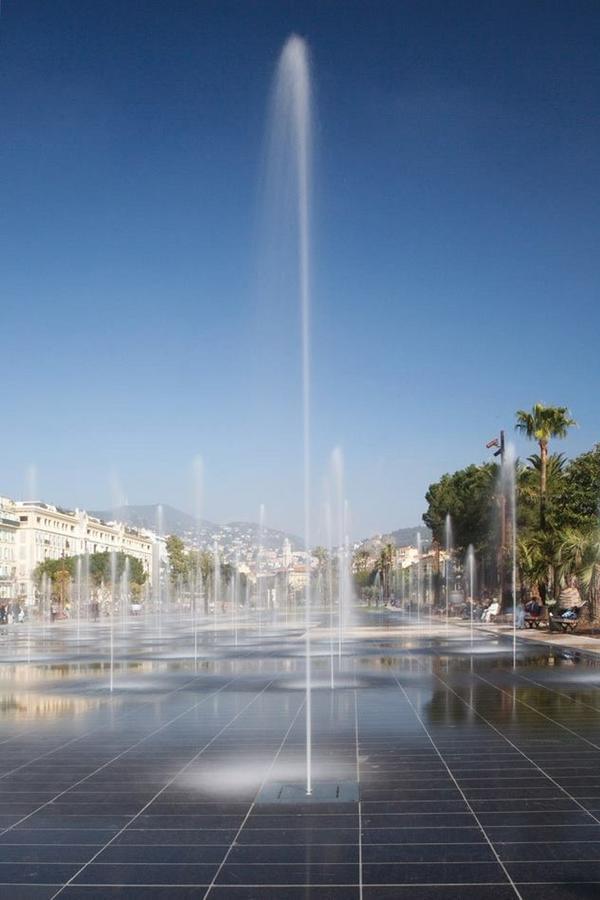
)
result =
(291, 141)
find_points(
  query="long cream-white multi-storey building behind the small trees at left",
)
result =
(49, 532)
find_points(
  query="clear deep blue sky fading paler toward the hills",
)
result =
(457, 262)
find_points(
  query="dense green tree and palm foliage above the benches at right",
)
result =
(557, 514)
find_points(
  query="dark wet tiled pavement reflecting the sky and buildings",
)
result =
(476, 780)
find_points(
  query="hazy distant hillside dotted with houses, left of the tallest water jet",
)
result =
(232, 536)
